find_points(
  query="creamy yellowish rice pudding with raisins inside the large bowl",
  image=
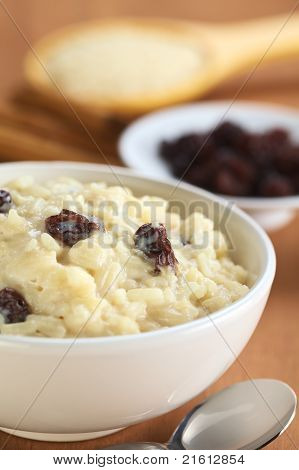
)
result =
(92, 260)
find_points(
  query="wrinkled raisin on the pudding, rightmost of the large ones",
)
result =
(153, 242)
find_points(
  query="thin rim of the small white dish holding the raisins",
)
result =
(246, 202)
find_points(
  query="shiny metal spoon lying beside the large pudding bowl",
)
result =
(247, 415)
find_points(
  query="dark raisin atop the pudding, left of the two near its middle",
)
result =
(70, 227)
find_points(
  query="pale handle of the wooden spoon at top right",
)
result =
(240, 45)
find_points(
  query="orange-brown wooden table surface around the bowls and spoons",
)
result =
(273, 350)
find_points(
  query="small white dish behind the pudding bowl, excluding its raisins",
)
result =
(138, 145)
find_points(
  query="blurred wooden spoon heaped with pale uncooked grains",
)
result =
(128, 66)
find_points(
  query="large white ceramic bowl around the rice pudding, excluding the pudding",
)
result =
(61, 389)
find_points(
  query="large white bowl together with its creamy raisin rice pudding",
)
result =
(116, 292)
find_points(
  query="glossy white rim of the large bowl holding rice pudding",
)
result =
(263, 283)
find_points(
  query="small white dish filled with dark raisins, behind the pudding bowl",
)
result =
(247, 152)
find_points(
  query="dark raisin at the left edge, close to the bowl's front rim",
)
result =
(13, 306)
